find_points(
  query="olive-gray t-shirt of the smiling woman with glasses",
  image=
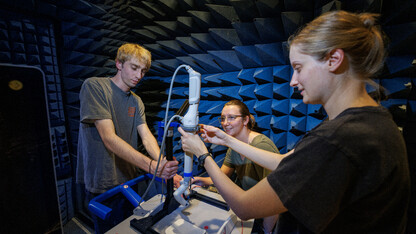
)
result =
(248, 172)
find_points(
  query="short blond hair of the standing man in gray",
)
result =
(130, 50)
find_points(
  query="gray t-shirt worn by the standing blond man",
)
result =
(98, 168)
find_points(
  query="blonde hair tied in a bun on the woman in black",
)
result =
(356, 34)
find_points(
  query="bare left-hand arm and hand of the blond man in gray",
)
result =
(125, 151)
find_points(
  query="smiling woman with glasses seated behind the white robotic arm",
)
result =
(237, 121)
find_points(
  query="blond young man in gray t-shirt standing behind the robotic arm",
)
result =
(112, 117)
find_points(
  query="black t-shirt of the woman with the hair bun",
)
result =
(347, 175)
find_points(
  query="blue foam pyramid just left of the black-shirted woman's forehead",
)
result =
(271, 54)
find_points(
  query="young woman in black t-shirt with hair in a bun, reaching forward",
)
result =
(349, 174)
